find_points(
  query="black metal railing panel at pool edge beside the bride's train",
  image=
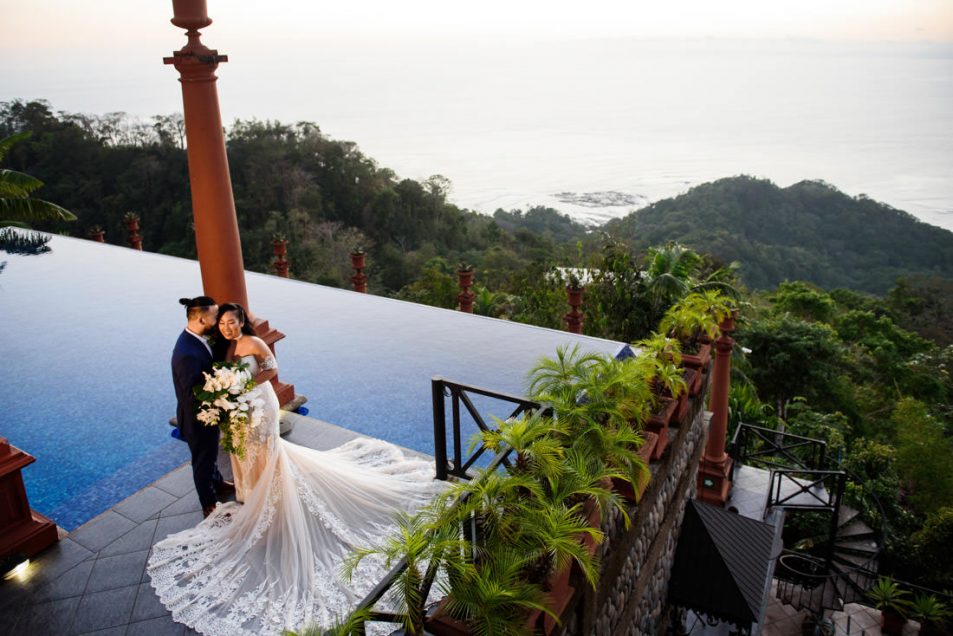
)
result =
(460, 394)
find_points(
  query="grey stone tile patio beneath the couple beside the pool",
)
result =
(94, 581)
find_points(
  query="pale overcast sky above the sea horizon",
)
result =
(47, 27)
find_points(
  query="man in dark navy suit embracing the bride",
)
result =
(191, 357)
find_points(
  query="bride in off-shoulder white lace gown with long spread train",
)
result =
(272, 562)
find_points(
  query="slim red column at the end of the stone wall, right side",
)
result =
(715, 466)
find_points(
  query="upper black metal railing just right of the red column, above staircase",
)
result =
(755, 445)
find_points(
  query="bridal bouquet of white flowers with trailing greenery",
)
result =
(225, 401)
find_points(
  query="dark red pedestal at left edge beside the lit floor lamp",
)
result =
(21, 529)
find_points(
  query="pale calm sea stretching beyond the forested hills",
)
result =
(513, 122)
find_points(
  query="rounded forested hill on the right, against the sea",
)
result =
(808, 231)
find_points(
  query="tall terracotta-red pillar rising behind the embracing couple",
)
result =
(213, 205)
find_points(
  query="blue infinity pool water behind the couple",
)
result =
(86, 385)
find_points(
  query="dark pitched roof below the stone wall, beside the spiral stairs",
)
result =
(721, 564)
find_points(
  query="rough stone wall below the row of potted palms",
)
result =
(636, 562)
